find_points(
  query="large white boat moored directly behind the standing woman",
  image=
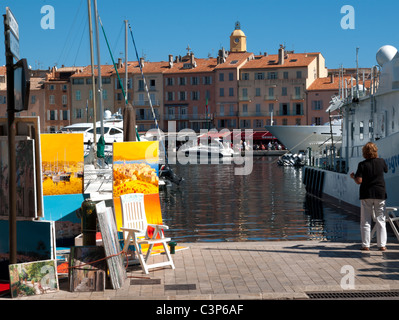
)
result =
(369, 116)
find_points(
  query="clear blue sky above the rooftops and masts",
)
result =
(162, 27)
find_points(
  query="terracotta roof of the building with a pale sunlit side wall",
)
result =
(271, 61)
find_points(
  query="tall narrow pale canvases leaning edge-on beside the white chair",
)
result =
(109, 234)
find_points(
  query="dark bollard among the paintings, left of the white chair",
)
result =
(88, 217)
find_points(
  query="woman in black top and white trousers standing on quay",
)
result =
(372, 195)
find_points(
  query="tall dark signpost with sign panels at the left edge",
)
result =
(17, 85)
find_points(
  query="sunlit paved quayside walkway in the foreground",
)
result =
(255, 271)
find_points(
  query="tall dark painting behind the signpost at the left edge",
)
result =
(26, 200)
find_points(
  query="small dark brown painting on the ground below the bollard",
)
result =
(87, 269)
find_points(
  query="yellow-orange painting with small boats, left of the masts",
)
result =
(62, 163)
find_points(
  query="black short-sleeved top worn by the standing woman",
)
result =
(372, 173)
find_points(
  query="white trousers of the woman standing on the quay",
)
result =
(370, 208)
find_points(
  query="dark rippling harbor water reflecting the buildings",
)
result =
(213, 205)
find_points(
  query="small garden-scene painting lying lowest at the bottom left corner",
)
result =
(33, 278)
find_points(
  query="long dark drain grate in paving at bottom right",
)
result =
(353, 294)
